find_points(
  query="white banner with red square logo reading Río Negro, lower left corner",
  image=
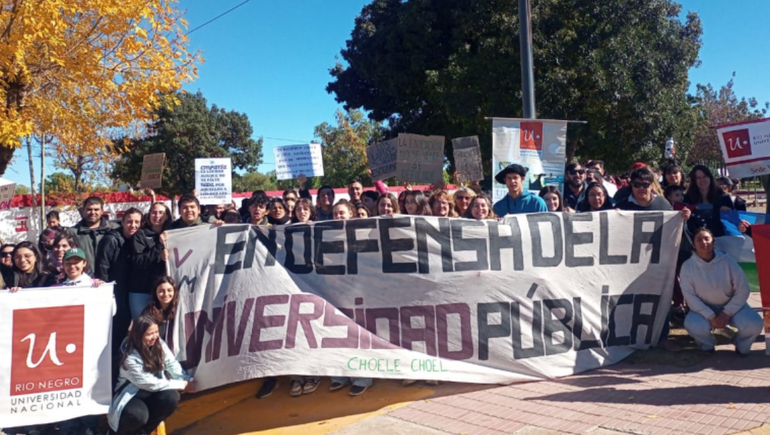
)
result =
(55, 360)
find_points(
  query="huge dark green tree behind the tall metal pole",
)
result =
(433, 67)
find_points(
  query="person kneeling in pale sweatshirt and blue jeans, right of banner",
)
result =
(716, 290)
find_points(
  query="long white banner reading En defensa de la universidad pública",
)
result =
(532, 297)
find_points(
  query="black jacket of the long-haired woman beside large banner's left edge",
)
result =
(144, 256)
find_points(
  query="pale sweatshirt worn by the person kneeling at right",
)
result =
(720, 281)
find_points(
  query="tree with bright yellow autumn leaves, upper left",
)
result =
(78, 70)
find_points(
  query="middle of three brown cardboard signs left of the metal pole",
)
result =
(420, 158)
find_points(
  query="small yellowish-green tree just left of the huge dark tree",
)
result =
(344, 147)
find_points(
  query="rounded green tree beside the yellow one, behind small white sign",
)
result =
(186, 131)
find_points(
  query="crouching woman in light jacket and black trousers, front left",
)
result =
(149, 382)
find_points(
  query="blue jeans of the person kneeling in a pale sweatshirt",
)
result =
(747, 321)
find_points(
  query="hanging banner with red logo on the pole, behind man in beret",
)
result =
(539, 145)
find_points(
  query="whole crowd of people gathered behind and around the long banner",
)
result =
(710, 291)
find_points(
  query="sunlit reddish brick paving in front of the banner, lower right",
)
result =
(723, 394)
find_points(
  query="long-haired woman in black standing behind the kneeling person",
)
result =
(709, 201)
